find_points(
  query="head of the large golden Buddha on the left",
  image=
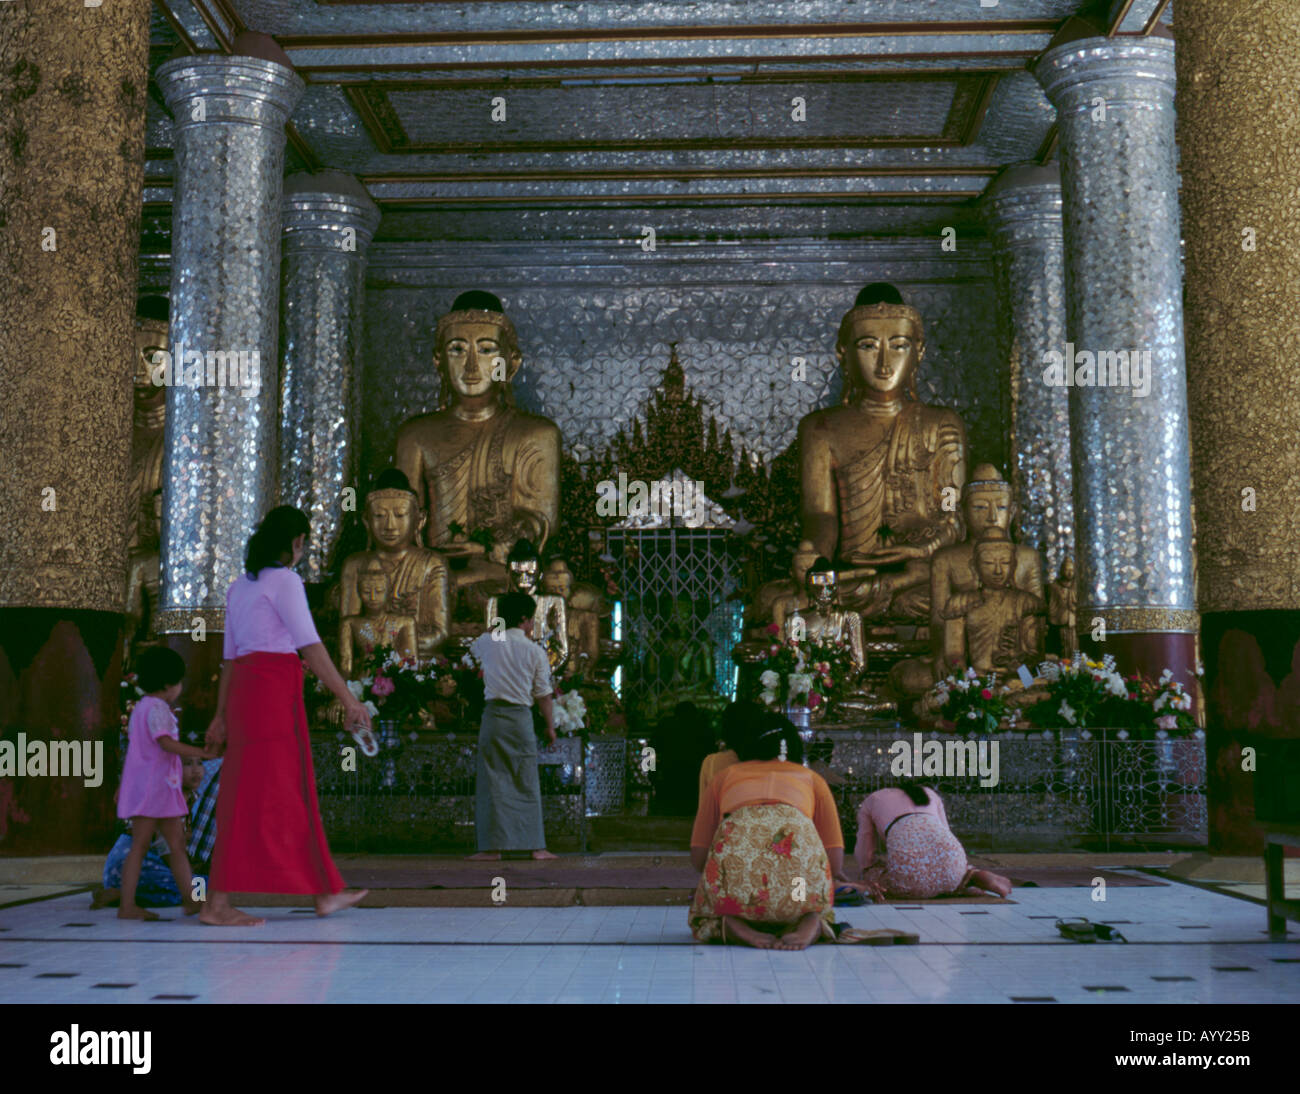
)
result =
(478, 351)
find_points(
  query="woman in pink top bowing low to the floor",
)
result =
(907, 849)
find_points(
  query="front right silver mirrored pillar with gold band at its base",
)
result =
(1115, 102)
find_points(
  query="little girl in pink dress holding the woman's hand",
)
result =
(150, 796)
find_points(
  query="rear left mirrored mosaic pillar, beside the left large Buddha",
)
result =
(328, 224)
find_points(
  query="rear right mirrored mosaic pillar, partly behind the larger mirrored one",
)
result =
(1024, 211)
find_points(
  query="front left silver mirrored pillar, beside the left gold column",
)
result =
(222, 449)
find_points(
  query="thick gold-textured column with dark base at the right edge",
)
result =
(1240, 134)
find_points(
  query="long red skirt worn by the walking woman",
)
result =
(270, 832)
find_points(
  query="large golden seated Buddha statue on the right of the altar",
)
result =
(883, 472)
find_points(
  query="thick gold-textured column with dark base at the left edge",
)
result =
(72, 167)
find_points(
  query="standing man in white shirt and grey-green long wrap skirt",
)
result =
(517, 672)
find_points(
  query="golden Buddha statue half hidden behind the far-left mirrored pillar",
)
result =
(145, 498)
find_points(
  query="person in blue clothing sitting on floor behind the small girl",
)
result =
(157, 888)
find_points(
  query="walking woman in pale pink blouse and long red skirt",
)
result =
(270, 832)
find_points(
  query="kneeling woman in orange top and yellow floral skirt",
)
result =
(769, 846)
